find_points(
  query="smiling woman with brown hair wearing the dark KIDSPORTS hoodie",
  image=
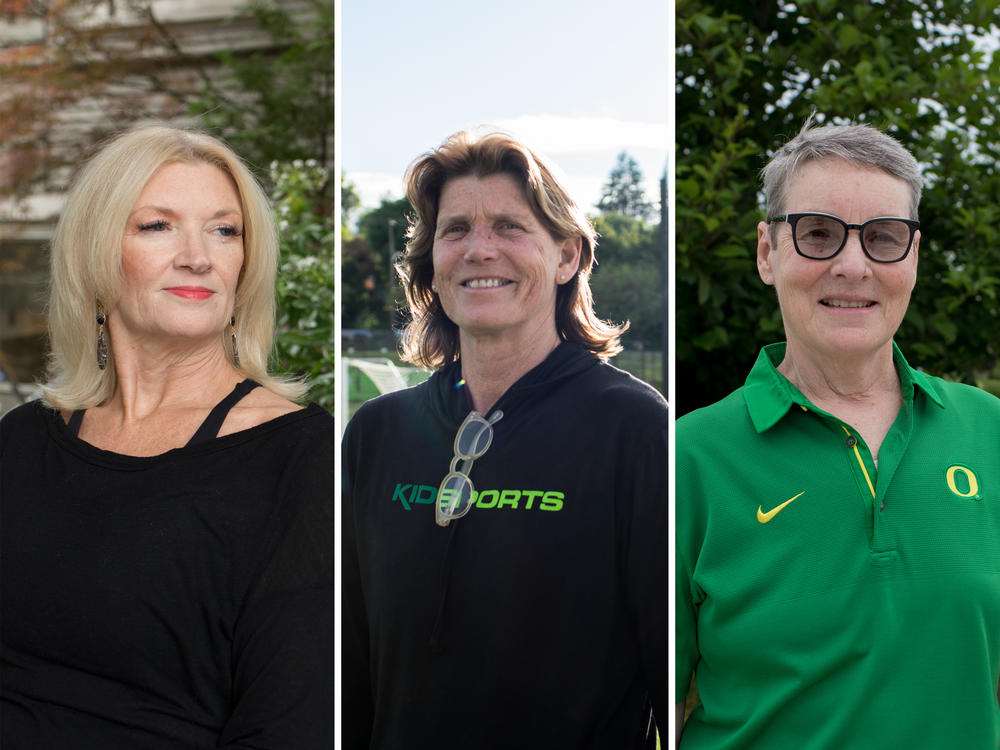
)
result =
(504, 522)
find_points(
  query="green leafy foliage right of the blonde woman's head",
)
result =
(274, 106)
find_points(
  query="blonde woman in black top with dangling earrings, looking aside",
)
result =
(166, 509)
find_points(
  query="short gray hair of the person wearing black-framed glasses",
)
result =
(861, 145)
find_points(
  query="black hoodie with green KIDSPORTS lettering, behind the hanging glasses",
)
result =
(538, 620)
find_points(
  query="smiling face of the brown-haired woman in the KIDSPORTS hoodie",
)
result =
(496, 267)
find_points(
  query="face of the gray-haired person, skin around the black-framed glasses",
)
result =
(849, 304)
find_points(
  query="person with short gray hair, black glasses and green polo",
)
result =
(838, 517)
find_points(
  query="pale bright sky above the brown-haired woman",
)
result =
(578, 81)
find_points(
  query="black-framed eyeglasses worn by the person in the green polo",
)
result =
(886, 239)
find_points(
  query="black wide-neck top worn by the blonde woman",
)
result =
(177, 601)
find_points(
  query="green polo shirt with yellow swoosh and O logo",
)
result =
(827, 603)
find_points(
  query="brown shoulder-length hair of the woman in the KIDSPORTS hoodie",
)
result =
(430, 339)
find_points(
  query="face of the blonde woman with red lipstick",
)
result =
(182, 252)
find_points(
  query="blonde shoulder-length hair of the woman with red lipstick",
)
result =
(86, 262)
